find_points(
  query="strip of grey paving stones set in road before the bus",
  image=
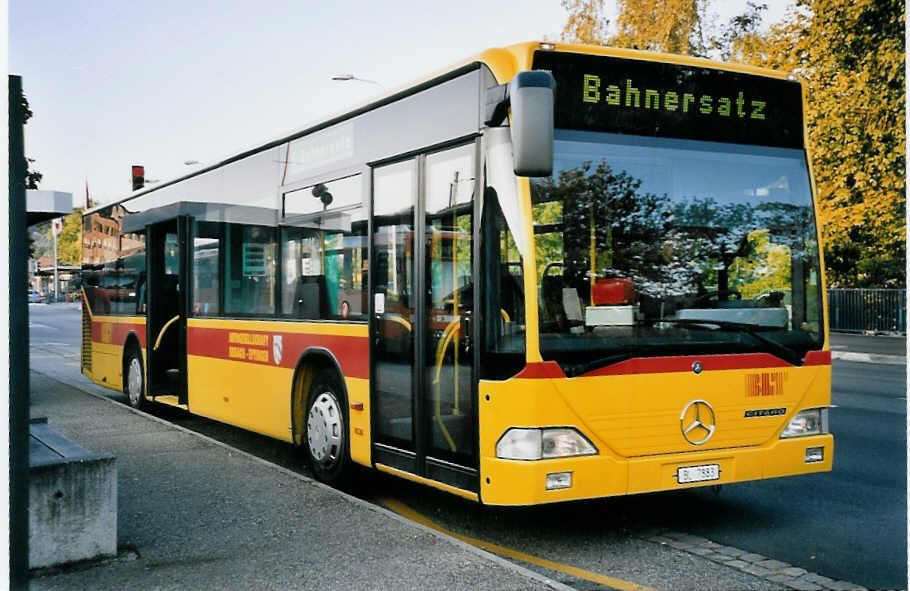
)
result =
(769, 569)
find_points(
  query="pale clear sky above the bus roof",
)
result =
(162, 82)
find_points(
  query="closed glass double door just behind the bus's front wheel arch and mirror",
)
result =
(424, 399)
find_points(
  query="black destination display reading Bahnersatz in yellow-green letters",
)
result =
(621, 95)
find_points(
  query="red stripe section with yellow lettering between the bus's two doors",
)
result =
(258, 347)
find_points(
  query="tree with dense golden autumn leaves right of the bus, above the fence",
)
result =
(851, 52)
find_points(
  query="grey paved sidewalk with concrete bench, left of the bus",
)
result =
(195, 514)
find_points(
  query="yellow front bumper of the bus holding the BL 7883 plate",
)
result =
(511, 482)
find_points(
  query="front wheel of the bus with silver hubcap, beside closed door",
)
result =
(326, 437)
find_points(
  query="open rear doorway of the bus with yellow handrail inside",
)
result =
(167, 309)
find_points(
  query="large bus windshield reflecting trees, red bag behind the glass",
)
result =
(649, 246)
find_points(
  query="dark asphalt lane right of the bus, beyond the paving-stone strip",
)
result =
(850, 523)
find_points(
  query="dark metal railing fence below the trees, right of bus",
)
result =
(864, 310)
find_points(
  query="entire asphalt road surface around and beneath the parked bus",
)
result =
(850, 524)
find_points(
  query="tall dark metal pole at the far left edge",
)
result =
(18, 343)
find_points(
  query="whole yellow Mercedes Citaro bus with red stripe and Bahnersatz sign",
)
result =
(550, 272)
